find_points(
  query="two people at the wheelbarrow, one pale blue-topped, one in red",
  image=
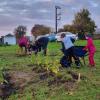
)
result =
(69, 50)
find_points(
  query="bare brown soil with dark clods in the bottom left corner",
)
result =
(15, 80)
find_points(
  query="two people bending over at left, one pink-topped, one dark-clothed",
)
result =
(27, 47)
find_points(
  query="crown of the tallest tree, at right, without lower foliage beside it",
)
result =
(83, 22)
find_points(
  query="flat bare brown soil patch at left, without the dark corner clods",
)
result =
(18, 78)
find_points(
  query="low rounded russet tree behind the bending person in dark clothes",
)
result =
(40, 30)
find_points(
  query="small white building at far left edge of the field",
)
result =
(9, 39)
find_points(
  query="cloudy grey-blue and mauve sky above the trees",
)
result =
(30, 12)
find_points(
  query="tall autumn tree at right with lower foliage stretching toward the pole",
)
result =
(81, 24)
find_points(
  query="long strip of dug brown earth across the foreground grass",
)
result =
(18, 80)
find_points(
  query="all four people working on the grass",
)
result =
(67, 48)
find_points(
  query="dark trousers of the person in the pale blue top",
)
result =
(69, 53)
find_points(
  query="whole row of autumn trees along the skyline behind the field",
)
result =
(82, 23)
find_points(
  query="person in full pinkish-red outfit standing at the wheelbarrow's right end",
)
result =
(91, 49)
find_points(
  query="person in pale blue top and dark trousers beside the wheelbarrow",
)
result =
(68, 49)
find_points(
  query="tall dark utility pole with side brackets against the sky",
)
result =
(57, 17)
